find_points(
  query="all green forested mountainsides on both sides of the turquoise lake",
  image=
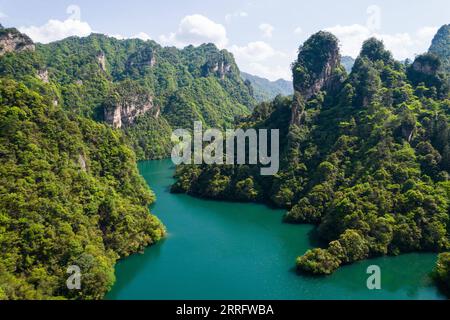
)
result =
(365, 151)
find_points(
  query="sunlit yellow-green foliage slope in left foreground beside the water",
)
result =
(70, 194)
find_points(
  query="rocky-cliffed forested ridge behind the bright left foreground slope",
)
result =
(139, 86)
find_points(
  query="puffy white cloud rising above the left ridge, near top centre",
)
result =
(196, 29)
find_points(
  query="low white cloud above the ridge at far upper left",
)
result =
(55, 30)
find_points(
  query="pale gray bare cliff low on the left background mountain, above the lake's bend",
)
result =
(126, 109)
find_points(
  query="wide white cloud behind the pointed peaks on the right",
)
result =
(402, 45)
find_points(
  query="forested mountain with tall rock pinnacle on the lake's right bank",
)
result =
(364, 156)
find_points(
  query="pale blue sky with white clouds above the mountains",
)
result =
(263, 35)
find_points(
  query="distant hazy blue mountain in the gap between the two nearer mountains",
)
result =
(266, 90)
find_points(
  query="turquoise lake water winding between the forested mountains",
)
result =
(221, 250)
